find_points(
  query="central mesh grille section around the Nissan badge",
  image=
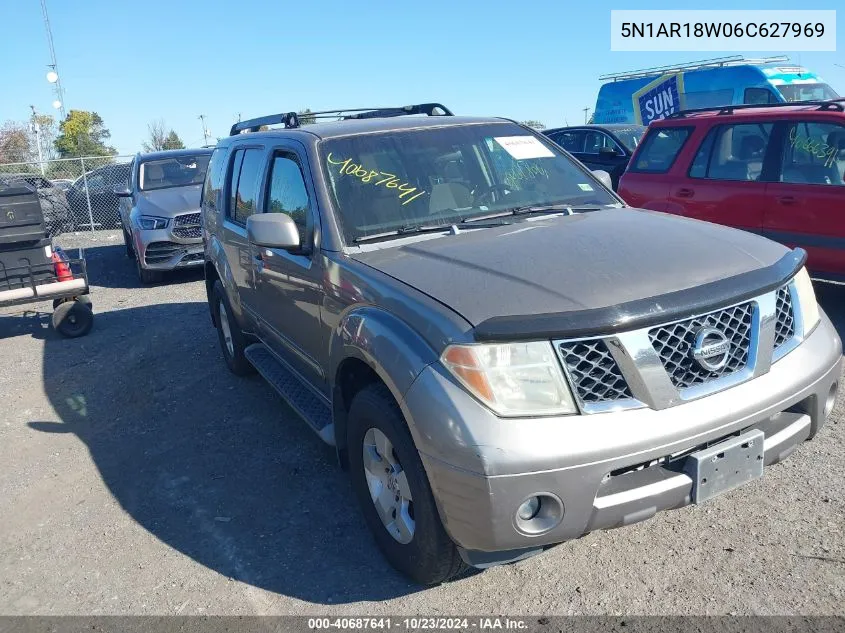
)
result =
(674, 343)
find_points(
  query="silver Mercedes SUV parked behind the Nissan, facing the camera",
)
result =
(159, 211)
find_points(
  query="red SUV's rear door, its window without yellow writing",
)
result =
(726, 182)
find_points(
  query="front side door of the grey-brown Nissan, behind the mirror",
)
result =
(288, 288)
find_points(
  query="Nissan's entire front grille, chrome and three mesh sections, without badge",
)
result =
(648, 367)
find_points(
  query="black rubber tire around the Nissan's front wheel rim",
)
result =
(429, 557)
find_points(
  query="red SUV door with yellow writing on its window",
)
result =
(806, 202)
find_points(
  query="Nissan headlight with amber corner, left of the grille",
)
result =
(512, 379)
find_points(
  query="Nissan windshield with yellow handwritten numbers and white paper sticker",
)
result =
(401, 180)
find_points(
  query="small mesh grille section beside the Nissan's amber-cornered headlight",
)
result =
(595, 375)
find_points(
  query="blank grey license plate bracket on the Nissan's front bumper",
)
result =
(726, 465)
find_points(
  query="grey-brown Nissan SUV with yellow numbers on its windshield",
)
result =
(504, 355)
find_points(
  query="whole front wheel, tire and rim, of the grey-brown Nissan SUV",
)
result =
(392, 488)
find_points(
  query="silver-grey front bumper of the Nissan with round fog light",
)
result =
(481, 468)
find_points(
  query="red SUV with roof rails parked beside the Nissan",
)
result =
(777, 170)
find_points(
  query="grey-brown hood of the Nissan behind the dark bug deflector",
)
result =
(573, 263)
